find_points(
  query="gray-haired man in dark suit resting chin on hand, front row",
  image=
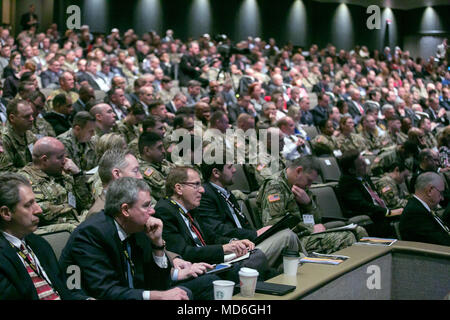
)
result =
(120, 250)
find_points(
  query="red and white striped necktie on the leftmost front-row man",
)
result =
(43, 288)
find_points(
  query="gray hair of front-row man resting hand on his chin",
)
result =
(123, 190)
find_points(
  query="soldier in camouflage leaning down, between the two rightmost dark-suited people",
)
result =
(389, 186)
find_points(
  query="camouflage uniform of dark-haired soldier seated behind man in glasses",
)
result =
(155, 175)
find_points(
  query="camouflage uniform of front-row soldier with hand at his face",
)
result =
(276, 199)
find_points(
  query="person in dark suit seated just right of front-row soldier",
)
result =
(358, 196)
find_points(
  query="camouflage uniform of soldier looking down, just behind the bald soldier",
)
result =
(82, 154)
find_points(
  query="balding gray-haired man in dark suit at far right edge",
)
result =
(419, 222)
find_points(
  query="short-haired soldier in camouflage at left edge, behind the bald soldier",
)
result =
(17, 138)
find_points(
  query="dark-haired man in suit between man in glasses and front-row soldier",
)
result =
(219, 215)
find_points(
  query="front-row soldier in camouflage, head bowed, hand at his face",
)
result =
(287, 193)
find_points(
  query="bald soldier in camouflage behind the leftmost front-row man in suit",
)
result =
(59, 187)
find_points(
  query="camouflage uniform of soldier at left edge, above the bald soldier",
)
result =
(17, 150)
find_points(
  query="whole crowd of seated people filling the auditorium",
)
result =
(106, 136)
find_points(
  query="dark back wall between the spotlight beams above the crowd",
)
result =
(273, 19)
